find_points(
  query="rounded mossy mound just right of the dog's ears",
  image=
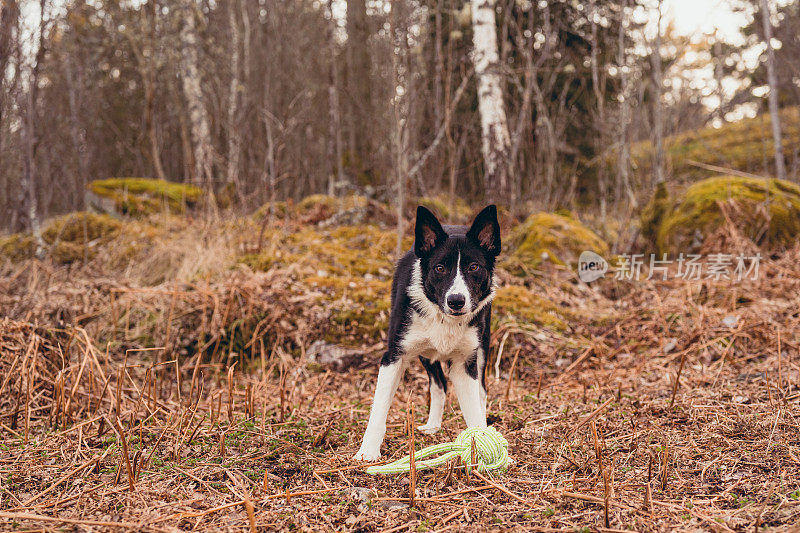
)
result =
(559, 238)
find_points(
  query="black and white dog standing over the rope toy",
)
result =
(441, 310)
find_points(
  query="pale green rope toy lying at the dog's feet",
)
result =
(491, 453)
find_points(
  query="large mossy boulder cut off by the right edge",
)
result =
(767, 211)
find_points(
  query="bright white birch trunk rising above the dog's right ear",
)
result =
(495, 138)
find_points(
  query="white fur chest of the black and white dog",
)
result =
(438, 339)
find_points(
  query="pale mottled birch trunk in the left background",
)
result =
(192, 91)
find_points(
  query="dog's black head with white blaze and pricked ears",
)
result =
(457, 262)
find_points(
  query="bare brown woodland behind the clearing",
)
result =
(263, 99)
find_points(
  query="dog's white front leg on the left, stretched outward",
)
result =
(388, 380)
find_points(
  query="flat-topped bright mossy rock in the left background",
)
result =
(144, 196)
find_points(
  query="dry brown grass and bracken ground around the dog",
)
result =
(649, 405)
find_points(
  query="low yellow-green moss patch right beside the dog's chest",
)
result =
(515, 302)
